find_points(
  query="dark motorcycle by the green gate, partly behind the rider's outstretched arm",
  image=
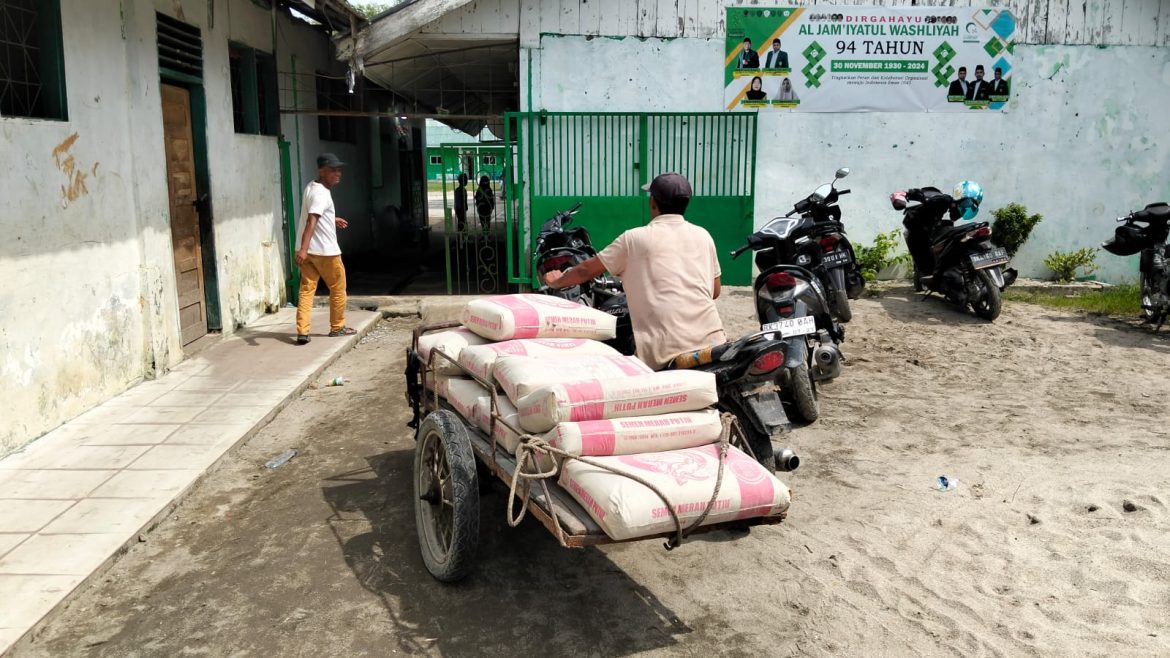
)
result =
(561, 250)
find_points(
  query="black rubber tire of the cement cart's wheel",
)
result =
(456, 563)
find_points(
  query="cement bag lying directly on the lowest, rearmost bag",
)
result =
(637, 435)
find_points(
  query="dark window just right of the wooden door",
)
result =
(254, 99)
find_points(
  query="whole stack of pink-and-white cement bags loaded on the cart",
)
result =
(582, 397)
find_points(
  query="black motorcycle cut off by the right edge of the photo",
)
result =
(1151, 241)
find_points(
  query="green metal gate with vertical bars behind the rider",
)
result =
(604, 159)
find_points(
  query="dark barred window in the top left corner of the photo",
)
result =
(32, 61)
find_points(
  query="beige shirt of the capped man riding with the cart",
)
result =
(669, 269)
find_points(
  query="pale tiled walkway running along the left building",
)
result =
(73, 499)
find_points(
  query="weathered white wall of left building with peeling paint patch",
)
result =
(90, 305)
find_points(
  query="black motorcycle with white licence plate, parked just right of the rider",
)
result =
(792, 301)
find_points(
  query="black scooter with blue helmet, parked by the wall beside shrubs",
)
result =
(958, 262)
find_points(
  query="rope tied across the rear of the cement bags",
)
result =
(532, 447)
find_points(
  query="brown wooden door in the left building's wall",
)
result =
(181, 181)
